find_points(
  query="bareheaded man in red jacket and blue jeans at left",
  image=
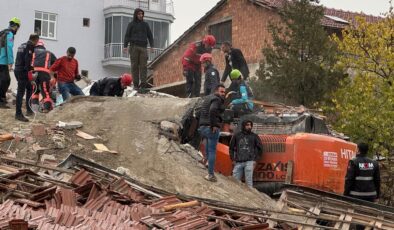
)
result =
(67, 72)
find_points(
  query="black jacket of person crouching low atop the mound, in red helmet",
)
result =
(108, 86)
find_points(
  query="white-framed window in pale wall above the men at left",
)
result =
(45, 24)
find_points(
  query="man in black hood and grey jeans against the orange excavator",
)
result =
(245, 149)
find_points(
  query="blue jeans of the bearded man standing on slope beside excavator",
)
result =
(210, 146)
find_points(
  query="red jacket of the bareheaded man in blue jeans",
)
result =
(67, 69)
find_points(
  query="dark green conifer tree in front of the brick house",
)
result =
(300, 62)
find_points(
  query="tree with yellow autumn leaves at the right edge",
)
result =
(364, 104)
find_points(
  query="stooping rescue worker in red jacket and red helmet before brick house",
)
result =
(192, 65)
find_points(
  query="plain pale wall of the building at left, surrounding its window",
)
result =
(89, 41)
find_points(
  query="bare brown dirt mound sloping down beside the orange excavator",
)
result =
(129, 126)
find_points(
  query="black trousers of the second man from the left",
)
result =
(23, 86)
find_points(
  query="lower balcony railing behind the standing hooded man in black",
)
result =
(115, 51)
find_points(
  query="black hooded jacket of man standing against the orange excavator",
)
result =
(245, 146)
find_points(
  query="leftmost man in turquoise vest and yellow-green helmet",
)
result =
(7, 58)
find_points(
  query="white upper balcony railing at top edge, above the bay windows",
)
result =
(143, 4)
